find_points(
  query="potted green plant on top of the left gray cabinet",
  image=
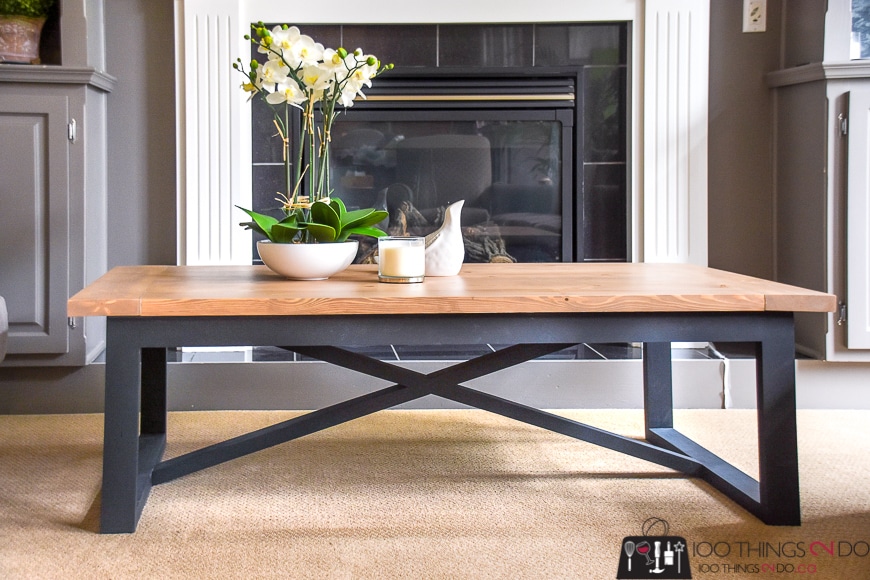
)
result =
(21, 24)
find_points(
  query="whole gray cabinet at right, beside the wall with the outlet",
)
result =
(821, 177)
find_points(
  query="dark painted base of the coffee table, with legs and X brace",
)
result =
(135, 411)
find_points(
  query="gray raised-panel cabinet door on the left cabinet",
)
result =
(34, 213)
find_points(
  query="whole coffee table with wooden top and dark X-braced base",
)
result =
(536, 308)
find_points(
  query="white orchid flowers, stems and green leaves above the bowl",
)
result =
(299, 72)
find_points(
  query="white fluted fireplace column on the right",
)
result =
(675, 93)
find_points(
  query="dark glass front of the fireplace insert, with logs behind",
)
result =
(506, 165)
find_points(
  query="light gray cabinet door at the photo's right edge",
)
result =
(858, 222)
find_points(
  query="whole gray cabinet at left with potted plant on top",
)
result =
(53, 234)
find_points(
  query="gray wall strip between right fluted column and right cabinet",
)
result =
(741, 163)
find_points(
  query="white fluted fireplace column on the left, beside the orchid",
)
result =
(216, 175)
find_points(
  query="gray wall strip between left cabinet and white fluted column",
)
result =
(140, 46)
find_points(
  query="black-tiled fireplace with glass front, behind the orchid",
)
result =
(526, 123)
